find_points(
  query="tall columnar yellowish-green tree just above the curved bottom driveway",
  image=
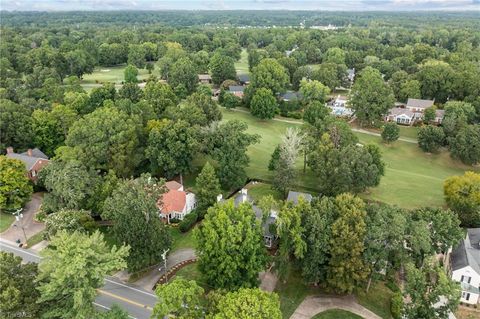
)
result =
(346, 267)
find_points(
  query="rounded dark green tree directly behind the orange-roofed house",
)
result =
(171, 147)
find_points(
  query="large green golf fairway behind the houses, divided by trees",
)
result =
(412, 178)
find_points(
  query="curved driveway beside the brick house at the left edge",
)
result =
(31, 227)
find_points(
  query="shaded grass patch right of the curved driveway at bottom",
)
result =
(377, 299)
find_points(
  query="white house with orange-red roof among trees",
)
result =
(176, 202)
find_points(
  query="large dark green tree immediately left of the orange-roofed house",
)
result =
(133, 209)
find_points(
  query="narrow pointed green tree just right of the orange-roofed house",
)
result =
(208, 188)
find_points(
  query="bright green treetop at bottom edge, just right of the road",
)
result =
(180, 299)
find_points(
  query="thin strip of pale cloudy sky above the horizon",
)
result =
(320, 5)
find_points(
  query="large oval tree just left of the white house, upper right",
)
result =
(371, 97)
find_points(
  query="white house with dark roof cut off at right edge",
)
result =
(465, 266)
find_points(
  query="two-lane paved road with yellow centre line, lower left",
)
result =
(136, 301)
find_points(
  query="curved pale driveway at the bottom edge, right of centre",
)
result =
(313, 305)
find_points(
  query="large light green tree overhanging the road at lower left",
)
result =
(72, 268)
